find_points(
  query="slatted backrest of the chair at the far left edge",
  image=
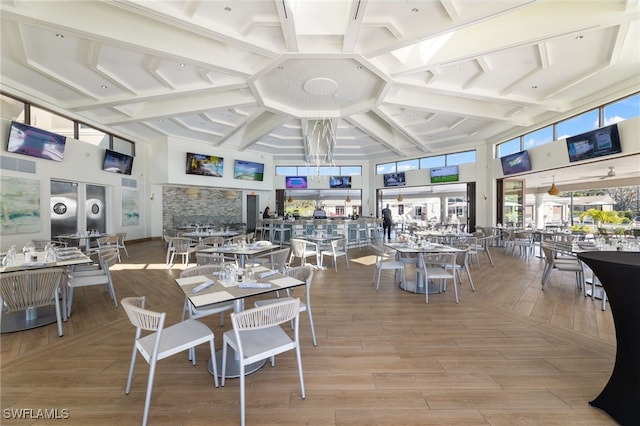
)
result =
(24, 289)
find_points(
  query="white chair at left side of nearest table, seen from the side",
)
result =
(163, 342)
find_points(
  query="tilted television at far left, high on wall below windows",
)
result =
(27, 140)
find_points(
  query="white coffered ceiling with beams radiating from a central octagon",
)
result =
(394, 79)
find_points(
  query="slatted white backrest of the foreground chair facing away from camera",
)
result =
(265, 316)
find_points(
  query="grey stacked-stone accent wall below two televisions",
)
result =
(194, 205)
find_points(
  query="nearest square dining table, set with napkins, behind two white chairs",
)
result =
(225, 290)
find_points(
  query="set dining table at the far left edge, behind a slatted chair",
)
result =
(37, 317)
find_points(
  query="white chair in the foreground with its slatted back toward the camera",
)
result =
(257, 335)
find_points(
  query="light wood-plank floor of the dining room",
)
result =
(507, 354)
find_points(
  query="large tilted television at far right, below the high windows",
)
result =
(596, 143)
